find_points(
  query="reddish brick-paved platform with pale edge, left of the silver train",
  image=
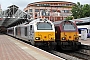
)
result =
(13, 49)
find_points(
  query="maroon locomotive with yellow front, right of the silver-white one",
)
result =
(66, 35)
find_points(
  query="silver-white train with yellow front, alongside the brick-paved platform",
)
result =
(39, 32)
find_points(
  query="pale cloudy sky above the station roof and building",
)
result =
(23, 3)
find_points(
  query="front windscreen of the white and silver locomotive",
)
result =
(44, 26)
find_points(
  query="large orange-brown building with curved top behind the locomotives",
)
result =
(52, 10)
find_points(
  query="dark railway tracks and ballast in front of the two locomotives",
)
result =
(82, 54)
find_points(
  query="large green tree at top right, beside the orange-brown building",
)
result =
(80, 11)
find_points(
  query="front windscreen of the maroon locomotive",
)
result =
(68, 26)
